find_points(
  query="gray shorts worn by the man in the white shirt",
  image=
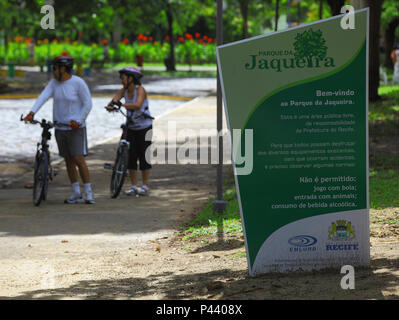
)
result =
(71, 143)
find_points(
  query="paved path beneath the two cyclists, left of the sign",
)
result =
(33, 238)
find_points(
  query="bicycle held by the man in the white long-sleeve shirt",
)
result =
(43, 171)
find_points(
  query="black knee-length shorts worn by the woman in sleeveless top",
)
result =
(138, 147)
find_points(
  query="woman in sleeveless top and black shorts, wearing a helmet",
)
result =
(139, 122)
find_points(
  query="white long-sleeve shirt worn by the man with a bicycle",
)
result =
(72, 101)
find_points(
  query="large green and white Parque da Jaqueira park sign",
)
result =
(301, 98)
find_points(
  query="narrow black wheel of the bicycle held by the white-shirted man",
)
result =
(40, 178)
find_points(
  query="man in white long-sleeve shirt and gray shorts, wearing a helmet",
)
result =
(72, 104)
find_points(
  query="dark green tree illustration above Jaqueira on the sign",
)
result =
(310, 44)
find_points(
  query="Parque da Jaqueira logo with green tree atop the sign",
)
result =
(309, 51)
